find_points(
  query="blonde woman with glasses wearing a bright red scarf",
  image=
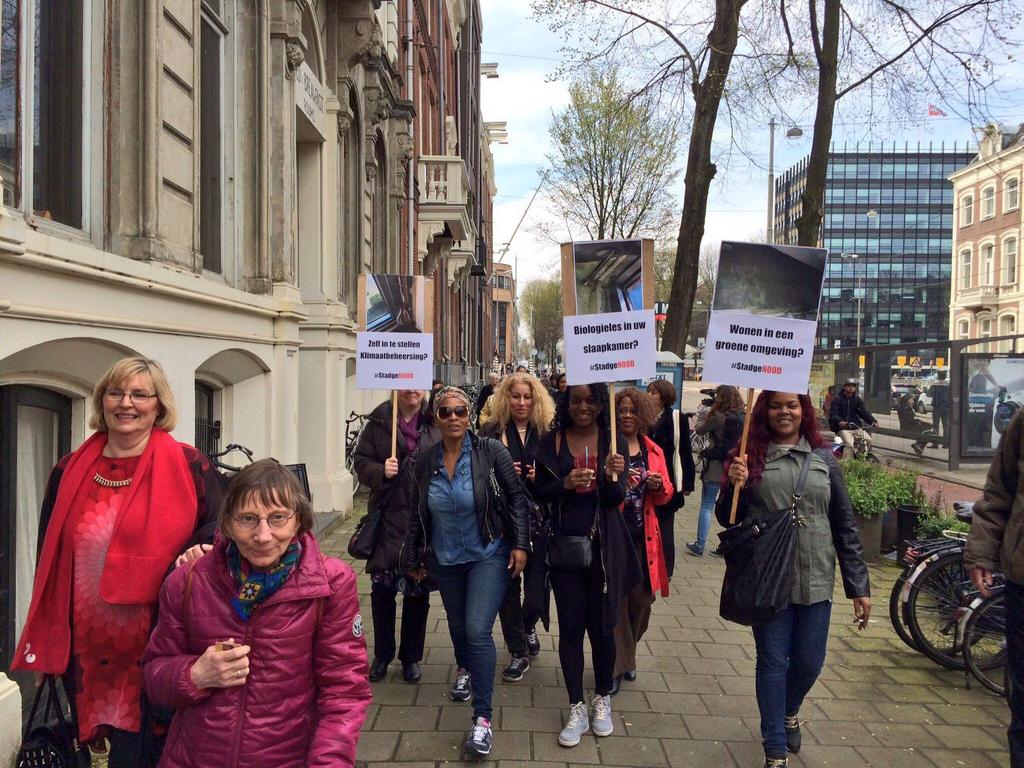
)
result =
(117, 514)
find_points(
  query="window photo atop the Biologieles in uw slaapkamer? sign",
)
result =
(609, 277)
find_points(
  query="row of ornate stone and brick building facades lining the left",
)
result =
(202, 183)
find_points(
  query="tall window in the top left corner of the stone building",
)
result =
(42, 74)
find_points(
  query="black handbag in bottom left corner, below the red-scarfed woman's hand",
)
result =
(51, 742)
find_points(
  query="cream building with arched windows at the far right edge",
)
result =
(989, 290)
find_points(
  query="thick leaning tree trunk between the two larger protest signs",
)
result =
(700, 174)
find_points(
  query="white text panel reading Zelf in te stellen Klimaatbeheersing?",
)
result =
(395, 361)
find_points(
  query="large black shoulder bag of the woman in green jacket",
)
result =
(759, 563)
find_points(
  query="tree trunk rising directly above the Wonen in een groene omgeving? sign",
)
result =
(813, 199)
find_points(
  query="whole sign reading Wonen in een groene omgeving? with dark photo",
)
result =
(764, 317)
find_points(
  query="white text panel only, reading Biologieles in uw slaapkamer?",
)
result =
(611, 347)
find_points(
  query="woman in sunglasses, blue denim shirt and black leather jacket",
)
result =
(471, 534)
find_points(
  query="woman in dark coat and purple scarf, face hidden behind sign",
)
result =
(391, 483)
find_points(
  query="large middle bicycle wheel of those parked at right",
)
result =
(935, 606)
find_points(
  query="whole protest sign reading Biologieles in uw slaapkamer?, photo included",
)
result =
(608, 308)
